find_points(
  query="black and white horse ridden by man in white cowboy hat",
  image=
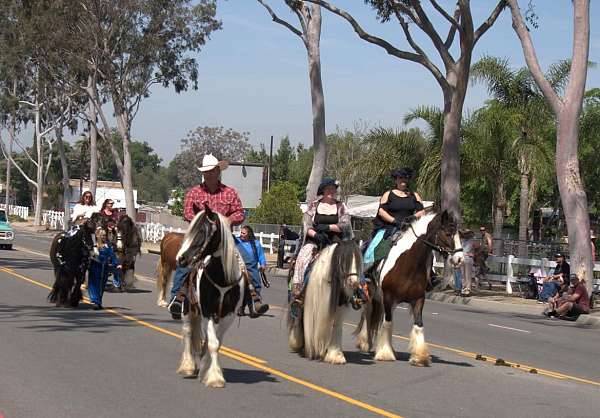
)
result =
(214, 293)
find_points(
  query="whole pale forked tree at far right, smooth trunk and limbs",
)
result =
(567, 111)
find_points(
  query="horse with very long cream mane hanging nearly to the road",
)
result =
(333, 279)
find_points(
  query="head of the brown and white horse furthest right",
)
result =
(443, 233)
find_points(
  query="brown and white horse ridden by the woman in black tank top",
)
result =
(403, 277)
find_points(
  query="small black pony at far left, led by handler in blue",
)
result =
(70, 253)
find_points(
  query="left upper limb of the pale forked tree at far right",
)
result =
(531, 58)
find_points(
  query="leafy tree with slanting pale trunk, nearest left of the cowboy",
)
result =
(129, 46)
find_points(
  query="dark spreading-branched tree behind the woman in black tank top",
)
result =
(453, 78)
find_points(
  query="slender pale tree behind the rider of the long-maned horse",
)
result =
(309, 18)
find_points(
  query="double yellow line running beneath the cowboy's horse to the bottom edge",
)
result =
(233, 354)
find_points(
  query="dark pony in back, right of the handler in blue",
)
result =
(127, 243)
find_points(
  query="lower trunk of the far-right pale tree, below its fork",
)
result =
(573, 197)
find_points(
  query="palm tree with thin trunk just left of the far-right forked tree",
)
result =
(516, 90)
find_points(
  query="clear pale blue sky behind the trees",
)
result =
(254, 76)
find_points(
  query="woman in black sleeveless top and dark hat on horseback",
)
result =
(399, 204)
